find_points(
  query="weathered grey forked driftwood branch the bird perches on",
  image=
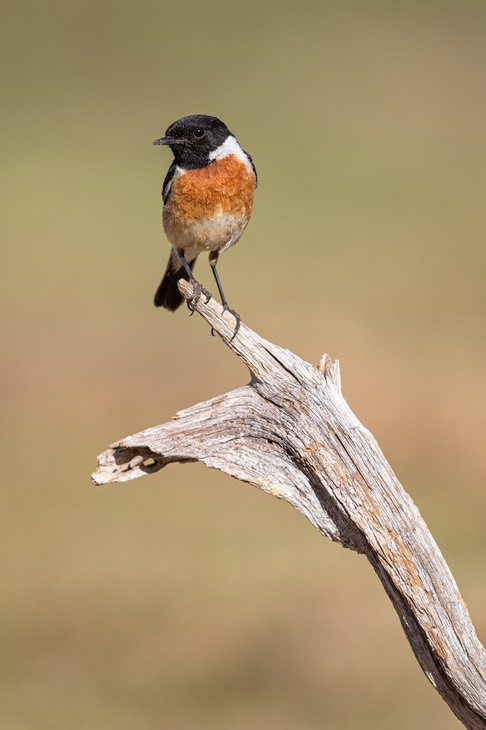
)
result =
(291, 433)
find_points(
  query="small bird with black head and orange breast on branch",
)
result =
(207, 200)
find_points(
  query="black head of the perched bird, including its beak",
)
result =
(193, 138)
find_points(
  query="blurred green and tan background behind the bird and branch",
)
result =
(187, 600)
